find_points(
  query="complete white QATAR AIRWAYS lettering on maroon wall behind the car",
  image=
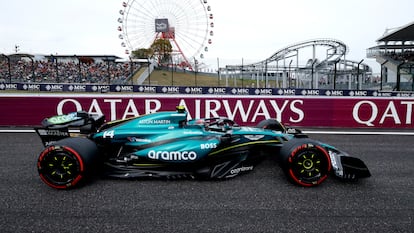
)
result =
(243, 110)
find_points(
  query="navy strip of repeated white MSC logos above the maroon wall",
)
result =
(187, 90)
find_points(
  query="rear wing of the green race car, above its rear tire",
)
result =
(68, 125)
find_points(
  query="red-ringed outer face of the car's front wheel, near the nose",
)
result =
(310, 166)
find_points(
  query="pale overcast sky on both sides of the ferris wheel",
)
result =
(244, 30)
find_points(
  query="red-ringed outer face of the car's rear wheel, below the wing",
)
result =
(59, 167)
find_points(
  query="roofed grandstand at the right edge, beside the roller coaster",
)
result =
(395, 53)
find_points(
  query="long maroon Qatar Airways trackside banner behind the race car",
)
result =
(368, 112)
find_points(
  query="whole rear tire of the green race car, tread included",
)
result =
(66, 163)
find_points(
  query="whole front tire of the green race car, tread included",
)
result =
(305, 162)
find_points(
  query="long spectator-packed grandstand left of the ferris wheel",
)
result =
(99, 69)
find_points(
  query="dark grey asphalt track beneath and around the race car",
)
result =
(260, 201)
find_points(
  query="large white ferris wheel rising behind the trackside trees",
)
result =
(187, 24)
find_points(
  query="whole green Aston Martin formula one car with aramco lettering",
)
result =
(168, 145)
